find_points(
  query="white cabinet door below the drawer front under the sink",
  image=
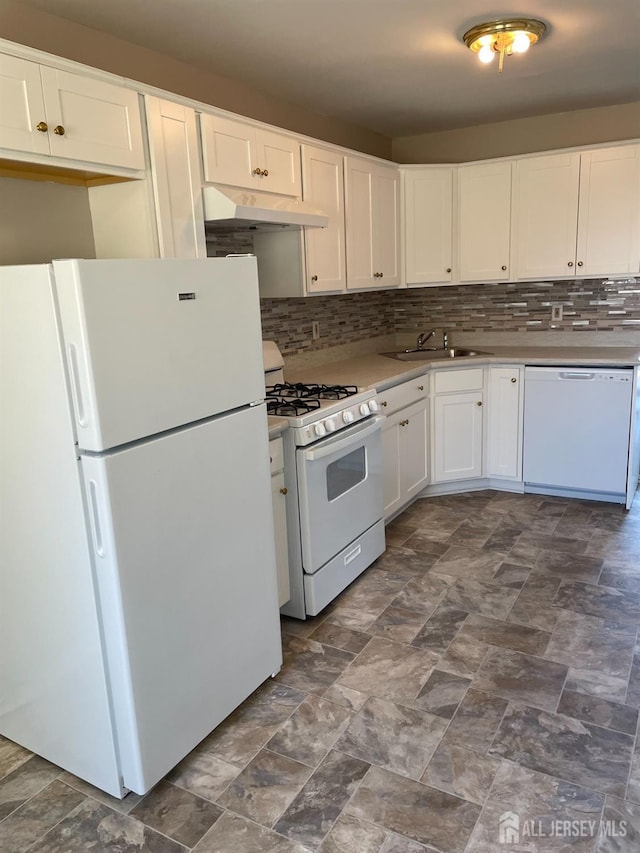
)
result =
(457, 427)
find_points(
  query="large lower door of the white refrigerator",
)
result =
(185, 561)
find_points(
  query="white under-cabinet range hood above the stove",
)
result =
(227, 205)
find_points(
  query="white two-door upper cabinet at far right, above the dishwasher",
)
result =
(578, 213)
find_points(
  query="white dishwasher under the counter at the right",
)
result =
(576, 431)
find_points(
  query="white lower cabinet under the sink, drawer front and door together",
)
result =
(457, 408)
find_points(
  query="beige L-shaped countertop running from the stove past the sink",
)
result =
(380, 372)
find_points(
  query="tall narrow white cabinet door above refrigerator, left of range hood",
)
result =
(175, 166)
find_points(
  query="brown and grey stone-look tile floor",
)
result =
(487, 664)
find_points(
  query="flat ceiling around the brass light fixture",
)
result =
(397, 67)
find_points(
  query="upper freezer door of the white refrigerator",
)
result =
(155, 344)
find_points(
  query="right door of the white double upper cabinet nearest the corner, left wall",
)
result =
(386, 226)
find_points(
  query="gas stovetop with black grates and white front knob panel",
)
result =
(314, 411)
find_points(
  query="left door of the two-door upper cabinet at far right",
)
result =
(546, 215)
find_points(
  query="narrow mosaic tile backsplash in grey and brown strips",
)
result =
(594, 305)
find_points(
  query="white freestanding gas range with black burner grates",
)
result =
(333, 474)
